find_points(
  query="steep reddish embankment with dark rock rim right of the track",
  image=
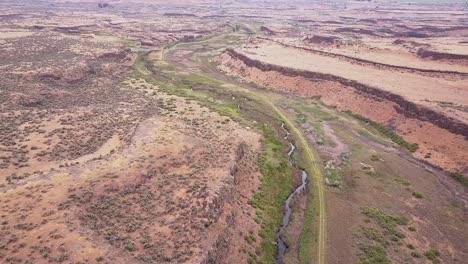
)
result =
(441, 139)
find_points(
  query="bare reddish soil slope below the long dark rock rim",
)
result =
(448, 150)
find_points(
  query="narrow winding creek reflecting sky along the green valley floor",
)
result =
(282, 245)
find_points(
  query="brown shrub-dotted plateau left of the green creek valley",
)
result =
(97, 166)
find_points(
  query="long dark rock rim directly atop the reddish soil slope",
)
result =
(402, 105)
